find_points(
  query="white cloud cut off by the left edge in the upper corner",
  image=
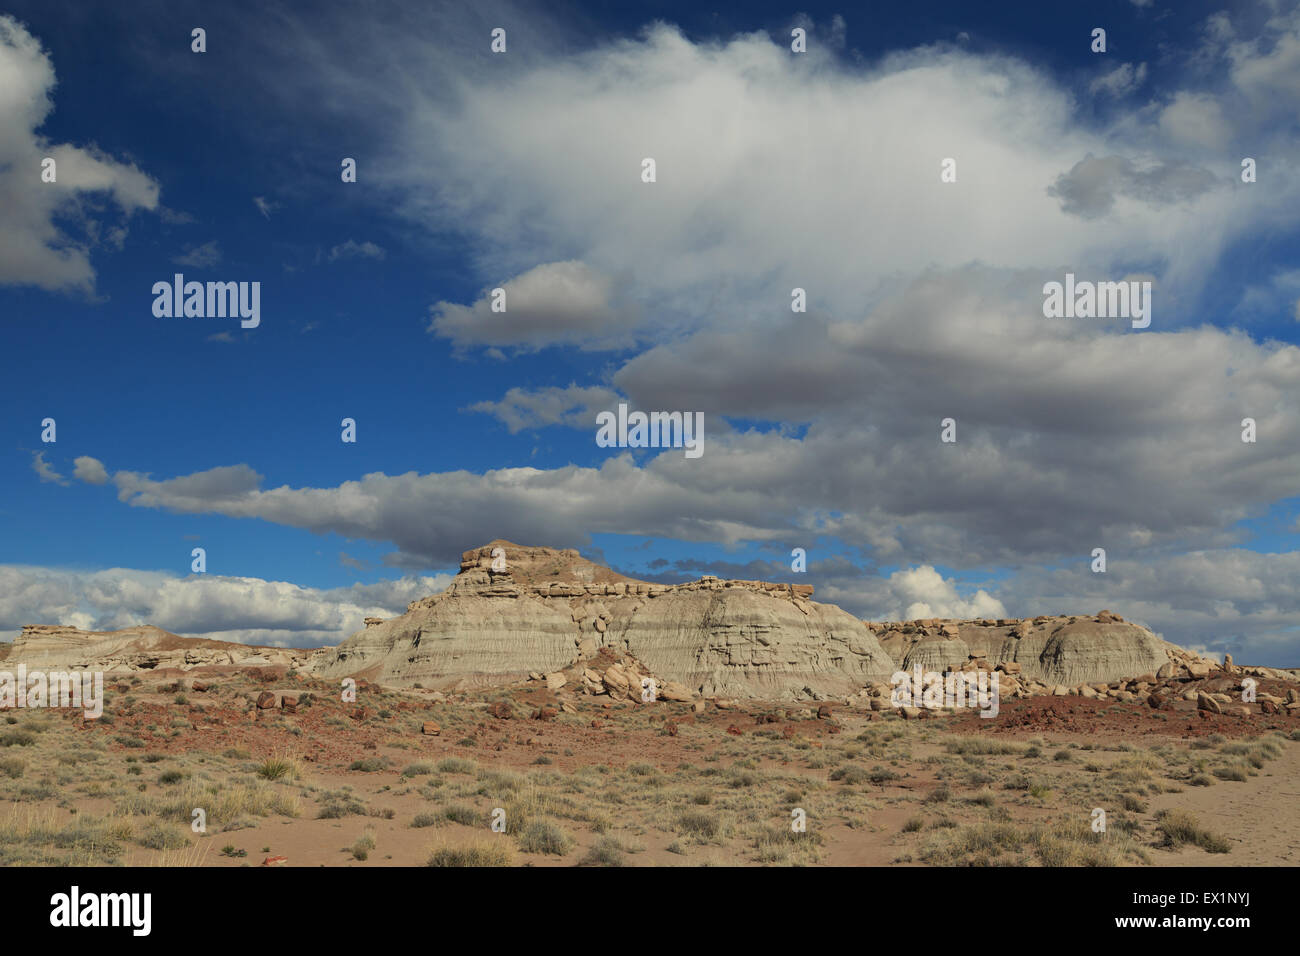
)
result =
(50, 228)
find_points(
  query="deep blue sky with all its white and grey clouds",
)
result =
(774, 170)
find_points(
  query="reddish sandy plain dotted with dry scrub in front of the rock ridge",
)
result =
(632, 775)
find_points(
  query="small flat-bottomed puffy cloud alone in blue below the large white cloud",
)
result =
(549, 305)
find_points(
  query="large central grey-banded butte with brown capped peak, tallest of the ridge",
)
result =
(551, 609)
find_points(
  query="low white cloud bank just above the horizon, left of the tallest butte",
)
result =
(250, 611)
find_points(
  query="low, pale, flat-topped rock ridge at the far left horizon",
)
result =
(133, 650)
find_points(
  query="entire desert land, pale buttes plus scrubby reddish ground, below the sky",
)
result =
(547, 711)
